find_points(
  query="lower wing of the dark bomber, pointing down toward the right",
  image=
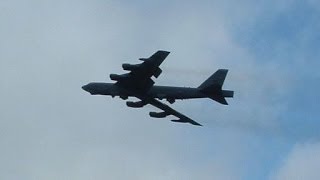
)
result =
(167, 110)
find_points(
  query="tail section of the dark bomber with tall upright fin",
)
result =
(213, 87)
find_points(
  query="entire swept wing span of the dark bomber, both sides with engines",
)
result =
(139, 81)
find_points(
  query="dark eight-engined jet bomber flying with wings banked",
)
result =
(138, 83)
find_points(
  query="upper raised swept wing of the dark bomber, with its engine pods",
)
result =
(139, 77)
